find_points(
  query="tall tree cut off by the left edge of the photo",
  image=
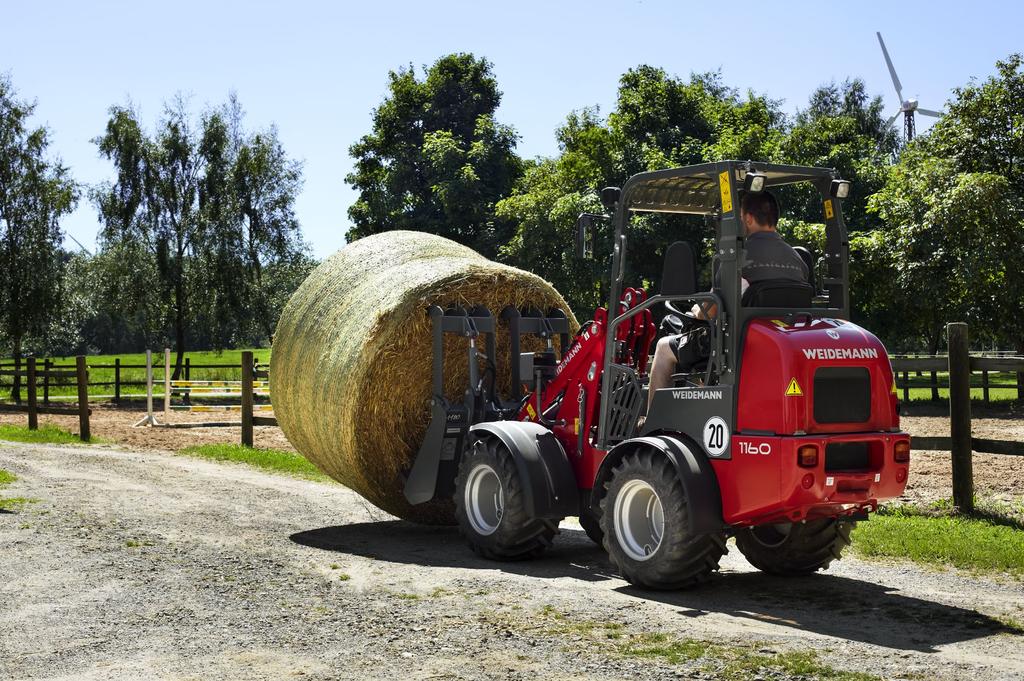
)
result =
(35, 193)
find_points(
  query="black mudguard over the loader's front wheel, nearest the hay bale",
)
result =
(548, 481)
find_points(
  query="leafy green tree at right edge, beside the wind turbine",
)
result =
(954, 218)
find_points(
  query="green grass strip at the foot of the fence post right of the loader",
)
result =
(986, 542)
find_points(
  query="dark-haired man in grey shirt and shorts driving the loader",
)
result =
(767, 258)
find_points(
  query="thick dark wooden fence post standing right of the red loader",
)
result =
(960, 416)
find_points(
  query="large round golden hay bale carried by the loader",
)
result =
(352, 364)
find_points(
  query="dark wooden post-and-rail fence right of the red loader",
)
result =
(961, 443)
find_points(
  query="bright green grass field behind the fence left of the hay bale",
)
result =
(102, 371)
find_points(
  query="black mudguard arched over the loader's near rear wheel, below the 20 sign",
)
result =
(704, 500)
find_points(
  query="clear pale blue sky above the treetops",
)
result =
(317, 70)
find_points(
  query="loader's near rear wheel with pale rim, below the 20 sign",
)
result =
(647, 527)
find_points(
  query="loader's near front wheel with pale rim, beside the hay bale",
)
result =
(490, 506)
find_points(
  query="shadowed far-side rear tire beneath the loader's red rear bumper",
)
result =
(795, 549)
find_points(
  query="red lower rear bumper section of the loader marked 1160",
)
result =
(764, 483)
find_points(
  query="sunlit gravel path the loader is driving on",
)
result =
(151, 566)
